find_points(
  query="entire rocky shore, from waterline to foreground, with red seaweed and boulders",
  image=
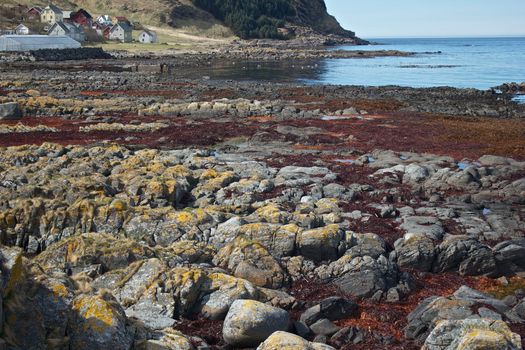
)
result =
(141, 210)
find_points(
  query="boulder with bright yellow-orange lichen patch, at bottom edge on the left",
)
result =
(99, 322)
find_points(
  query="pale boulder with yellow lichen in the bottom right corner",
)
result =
(472, 334)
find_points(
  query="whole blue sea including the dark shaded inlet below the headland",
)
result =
(480, 63)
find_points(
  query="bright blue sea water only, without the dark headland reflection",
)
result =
(463, 62)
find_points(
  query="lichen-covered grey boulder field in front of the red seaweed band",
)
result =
(110, 247)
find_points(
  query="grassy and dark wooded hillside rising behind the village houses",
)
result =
(215, 18)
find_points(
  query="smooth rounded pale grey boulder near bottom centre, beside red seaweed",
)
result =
(248, 323)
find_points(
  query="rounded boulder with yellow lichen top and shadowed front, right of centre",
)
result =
(320, 244)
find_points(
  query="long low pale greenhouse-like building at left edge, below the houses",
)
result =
(20, 43)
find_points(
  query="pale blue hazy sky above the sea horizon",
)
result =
(441, 18)
